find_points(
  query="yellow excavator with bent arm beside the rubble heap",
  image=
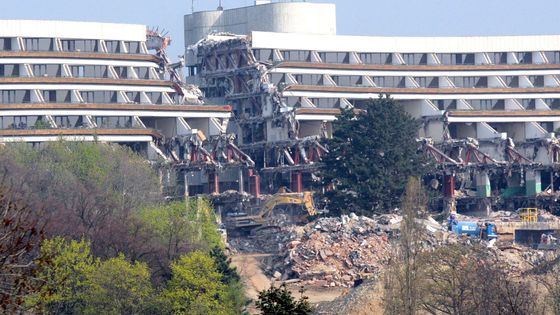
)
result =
(238, 223)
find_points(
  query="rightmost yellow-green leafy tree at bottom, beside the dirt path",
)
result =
(195, 287)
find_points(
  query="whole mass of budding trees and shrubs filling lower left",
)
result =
(87, 231)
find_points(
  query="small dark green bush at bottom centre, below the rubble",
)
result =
(279, 301)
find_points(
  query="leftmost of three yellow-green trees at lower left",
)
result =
(63, 274)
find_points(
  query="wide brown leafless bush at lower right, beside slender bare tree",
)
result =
(470, 279)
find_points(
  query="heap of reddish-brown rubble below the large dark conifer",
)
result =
(336, 251)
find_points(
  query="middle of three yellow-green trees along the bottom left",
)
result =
(118, 287)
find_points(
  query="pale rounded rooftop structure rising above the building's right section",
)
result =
(295, 17)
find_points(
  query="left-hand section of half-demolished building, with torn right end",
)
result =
(82, 81)
